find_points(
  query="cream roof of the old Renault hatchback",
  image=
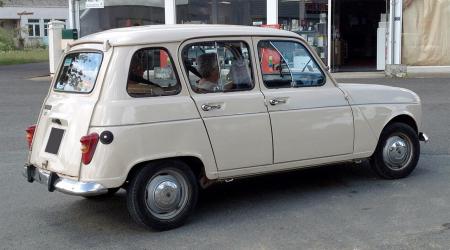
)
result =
(176, 33)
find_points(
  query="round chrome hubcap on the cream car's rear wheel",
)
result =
(166, 194)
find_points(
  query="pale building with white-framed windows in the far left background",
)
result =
(32, 17)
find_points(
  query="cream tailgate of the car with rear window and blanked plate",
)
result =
(67, 111)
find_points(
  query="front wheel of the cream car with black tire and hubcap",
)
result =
(391, 159)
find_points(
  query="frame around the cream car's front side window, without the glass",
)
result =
(307, 49)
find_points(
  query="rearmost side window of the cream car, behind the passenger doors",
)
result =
(152, 74)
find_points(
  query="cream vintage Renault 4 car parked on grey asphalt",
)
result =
(162, 111)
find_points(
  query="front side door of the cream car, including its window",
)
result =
(310, 116)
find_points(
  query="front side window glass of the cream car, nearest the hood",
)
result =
(288, 64)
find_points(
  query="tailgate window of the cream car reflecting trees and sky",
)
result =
(79, 72)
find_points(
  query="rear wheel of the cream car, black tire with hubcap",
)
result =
(143, 208)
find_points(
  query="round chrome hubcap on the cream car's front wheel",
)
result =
(397, 152)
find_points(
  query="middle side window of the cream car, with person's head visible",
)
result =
(218, 66)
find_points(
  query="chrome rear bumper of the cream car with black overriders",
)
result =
(63, 185)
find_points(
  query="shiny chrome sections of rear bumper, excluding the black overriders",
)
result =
(69, 186)
